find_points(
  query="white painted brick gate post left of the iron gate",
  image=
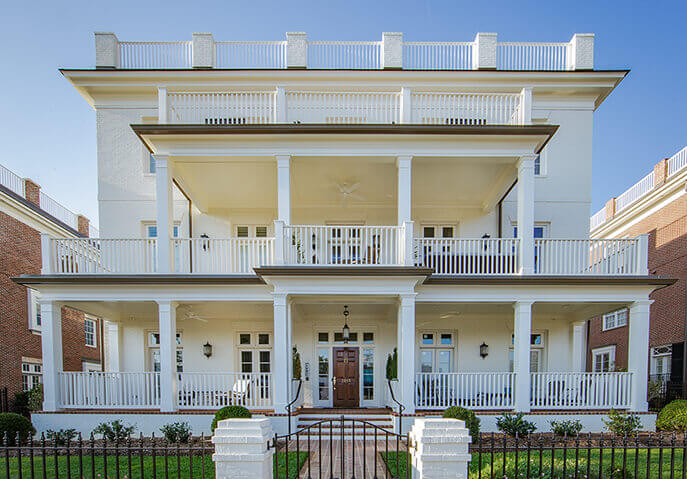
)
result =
(241, 449)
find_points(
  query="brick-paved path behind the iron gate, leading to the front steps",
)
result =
(325, 456)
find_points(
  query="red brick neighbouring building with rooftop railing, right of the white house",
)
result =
(656, 206)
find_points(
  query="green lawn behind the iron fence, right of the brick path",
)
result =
(596, 463)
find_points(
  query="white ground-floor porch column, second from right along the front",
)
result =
(521, 354)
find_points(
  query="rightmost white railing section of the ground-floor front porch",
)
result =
(580, 390)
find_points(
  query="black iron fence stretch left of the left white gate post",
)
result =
(133, 457)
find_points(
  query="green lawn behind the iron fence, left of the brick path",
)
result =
(71, 469)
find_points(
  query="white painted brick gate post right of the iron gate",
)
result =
(441, 449)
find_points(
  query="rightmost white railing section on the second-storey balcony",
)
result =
(587, 256)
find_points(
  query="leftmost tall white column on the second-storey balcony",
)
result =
(164, 175)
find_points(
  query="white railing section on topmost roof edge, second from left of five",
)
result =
(250, 54)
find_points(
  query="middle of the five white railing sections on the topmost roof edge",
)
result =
(344, 55)
